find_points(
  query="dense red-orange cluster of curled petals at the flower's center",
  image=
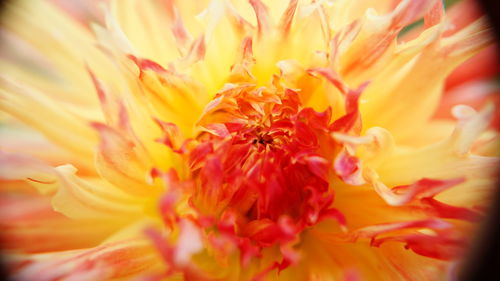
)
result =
(262, 159)
